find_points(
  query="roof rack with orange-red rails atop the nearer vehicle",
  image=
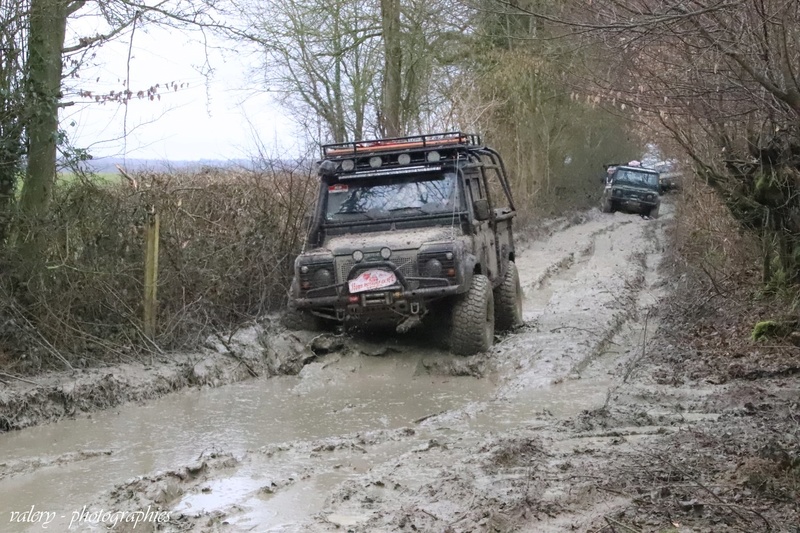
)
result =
(450, 139)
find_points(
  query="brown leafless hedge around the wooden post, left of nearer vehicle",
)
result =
(226, 247)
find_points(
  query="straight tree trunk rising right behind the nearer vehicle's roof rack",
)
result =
(391, 123)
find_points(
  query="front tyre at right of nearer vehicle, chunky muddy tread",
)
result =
(472, 329)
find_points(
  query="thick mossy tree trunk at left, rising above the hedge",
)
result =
(48, 19)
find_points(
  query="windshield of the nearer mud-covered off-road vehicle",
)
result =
(393, 197)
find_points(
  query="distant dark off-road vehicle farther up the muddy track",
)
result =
(632, 188)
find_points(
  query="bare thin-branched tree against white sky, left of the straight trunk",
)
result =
(321, 58)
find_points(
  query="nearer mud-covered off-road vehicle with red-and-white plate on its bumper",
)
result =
(412, 228)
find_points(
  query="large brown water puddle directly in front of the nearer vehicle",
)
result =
(349, 395)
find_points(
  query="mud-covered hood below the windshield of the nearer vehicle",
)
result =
(396, 240)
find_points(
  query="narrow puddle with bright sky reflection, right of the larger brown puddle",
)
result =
(314, 477)
